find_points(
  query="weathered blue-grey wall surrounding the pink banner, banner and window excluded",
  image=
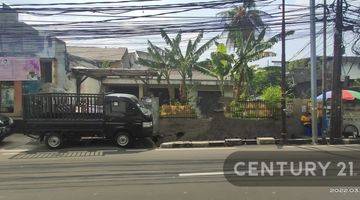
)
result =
(28, 42)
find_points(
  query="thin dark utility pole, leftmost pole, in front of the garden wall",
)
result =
(283, 77)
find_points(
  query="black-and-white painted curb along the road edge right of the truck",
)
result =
(240, 142)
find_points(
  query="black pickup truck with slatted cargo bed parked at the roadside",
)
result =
(55, 117)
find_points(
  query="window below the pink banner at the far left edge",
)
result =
(7, 97)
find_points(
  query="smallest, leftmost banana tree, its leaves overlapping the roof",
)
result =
(160, 60)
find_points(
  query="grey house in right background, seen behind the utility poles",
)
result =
(299, 74)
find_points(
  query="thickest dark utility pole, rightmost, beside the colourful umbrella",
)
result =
(336, 117)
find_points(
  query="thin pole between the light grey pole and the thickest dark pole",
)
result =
(323, 77)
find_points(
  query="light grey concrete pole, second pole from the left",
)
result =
(313, 72)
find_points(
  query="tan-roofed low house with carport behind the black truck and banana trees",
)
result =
(130, 77)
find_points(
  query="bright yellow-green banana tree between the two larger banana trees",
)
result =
(219, 65)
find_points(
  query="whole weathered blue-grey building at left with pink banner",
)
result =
(30, 61)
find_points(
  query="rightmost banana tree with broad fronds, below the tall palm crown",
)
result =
(248, 50)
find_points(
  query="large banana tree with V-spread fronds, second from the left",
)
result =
(185, 63)
